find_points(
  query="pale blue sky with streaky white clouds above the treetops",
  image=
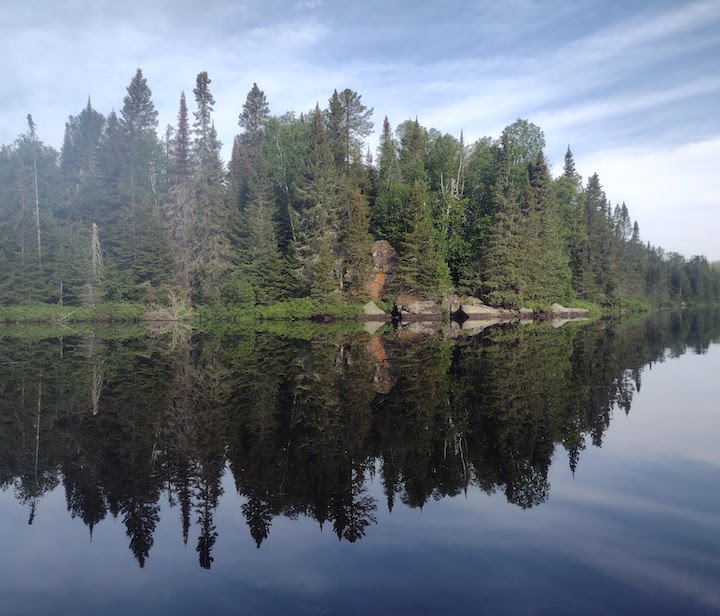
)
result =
(632, 87)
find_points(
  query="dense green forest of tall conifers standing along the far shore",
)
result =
(123, 213)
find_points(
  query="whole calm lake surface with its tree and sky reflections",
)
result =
(523, 470)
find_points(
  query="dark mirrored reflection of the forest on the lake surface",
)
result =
(304, 420)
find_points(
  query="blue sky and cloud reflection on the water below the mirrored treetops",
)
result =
(635, 530)
